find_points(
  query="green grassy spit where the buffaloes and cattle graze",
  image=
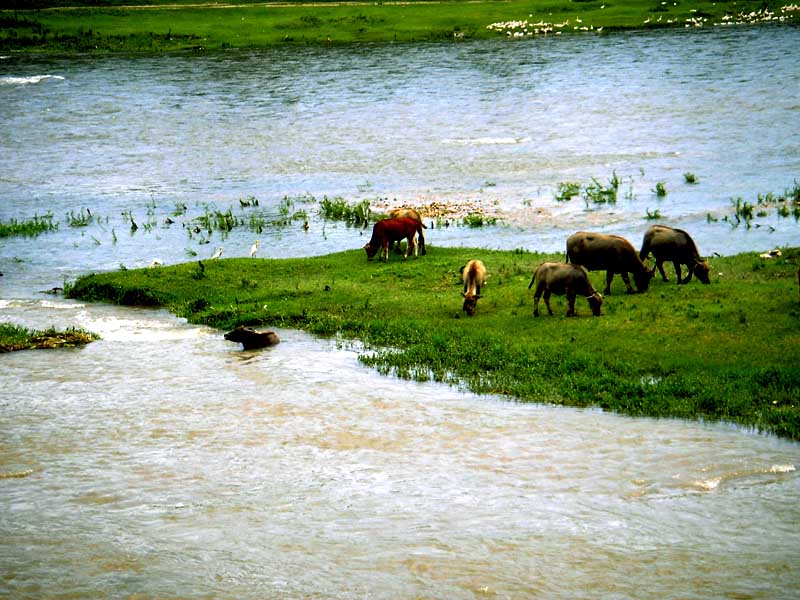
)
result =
(729, 350)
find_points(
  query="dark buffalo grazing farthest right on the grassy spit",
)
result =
(676, 246)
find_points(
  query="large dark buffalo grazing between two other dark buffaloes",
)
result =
(612, 253)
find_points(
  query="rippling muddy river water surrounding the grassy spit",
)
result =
(164, 462)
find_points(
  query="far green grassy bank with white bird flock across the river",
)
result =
(161, 26)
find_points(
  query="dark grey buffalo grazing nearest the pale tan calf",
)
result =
(564, 279)
